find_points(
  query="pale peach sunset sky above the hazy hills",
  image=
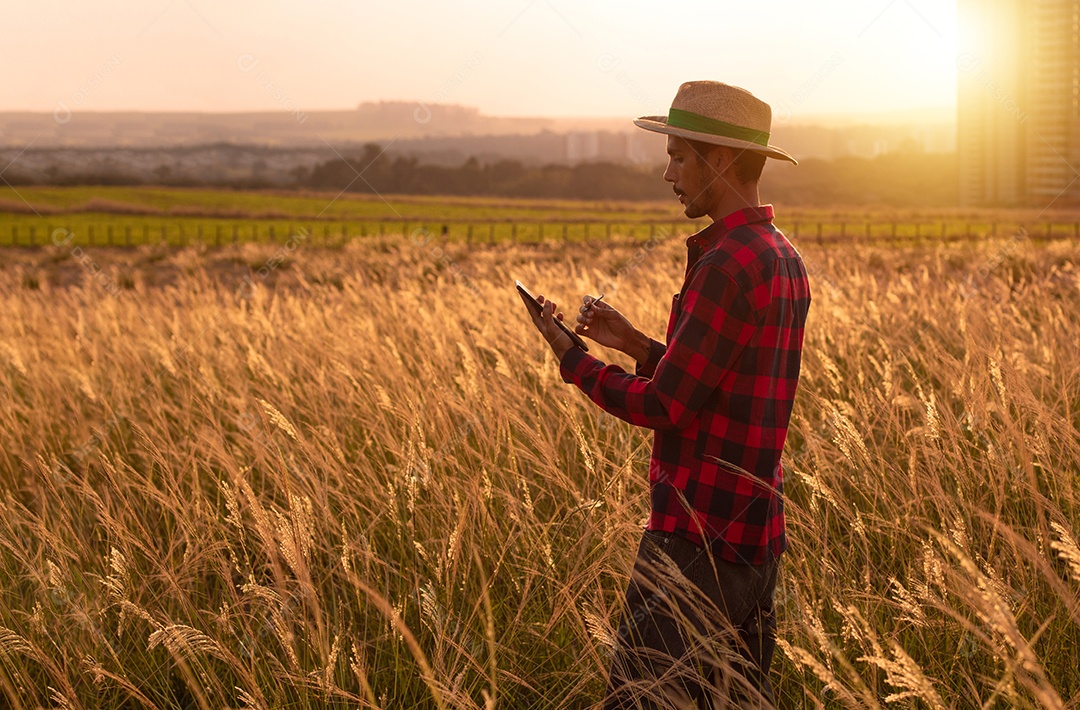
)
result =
(509, 58)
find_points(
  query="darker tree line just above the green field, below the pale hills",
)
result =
(907, 179)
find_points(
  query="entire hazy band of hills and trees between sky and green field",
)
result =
(448, 150)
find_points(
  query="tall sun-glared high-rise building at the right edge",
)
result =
(1019, 103)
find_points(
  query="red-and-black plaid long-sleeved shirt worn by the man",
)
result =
(720, 394)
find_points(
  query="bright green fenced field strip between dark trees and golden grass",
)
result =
(31, 217)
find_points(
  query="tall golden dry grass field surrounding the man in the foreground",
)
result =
(272, 477)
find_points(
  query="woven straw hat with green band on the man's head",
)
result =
(720, 114)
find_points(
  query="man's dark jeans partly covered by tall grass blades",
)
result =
(704, 645)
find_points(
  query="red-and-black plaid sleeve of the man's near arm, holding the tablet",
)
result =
(713, 330)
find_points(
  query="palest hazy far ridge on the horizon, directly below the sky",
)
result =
(450, 133)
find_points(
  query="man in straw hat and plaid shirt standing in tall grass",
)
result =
(719, 393)
